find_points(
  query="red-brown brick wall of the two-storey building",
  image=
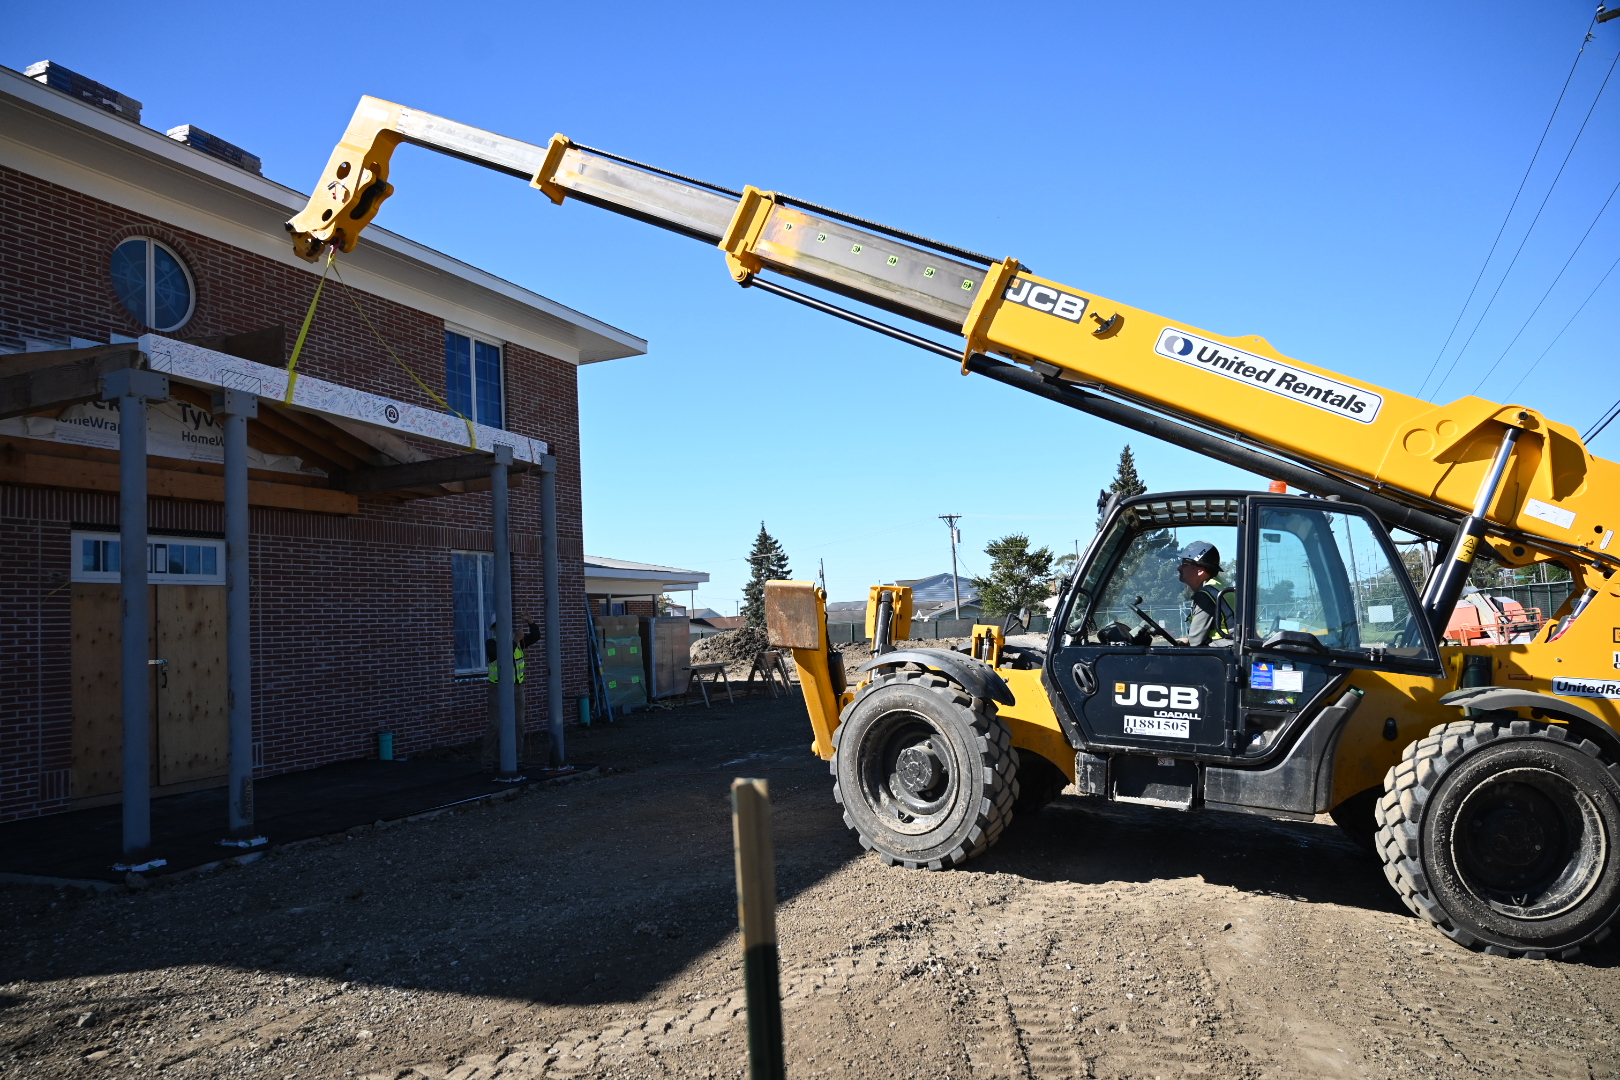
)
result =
(352, 621)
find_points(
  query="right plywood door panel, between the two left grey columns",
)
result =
(192, 695)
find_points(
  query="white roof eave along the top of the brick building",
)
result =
(83, 148)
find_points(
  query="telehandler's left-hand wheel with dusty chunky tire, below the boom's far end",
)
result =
(926, 772)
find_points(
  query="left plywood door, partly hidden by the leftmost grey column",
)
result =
(98, 704)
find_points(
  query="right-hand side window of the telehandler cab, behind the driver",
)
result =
(1331, 576)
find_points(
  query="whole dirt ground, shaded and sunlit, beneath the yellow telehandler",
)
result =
(590, 932)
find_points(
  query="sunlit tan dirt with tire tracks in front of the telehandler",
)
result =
(1033, 980)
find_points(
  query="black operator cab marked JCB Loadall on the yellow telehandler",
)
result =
(1308, 592)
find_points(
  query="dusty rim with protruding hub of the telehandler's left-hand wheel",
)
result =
(908, 773)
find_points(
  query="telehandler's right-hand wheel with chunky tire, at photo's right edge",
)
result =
(1506, 835)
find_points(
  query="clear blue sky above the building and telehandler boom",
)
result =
(1329, 177)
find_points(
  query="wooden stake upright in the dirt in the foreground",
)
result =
(751, 828)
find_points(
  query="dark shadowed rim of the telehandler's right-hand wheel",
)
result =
(1530, 844)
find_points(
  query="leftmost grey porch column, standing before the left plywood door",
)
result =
(132, 389)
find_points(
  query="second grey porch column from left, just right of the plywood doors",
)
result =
(236, 409)
